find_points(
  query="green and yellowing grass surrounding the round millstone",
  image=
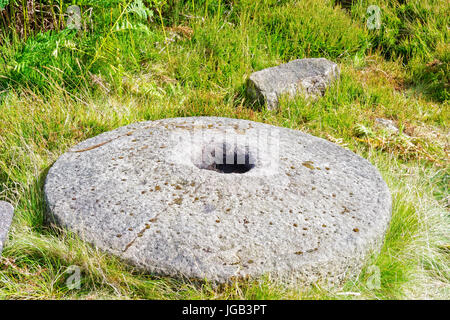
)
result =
(125, 69)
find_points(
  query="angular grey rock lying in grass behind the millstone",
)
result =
(309, 76)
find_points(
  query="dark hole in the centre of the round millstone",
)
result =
(226, 158)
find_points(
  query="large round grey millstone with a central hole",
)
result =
(220, 198)
